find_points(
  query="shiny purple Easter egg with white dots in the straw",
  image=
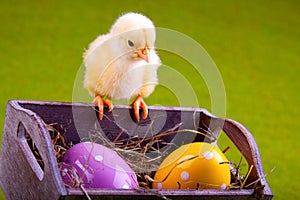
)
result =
(96, 166)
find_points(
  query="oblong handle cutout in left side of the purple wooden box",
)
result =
(31, 152)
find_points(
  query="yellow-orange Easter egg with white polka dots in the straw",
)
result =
(193, 166)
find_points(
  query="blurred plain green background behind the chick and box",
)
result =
(255, 45)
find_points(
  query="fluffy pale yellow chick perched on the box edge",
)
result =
(123, 63)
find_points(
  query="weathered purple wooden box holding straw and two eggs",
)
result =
(23, 178)
